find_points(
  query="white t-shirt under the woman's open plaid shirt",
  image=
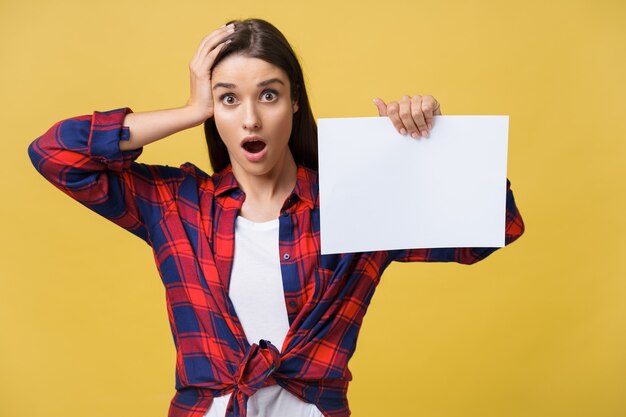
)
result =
(256, 291)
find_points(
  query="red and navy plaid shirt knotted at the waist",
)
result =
(188, 218)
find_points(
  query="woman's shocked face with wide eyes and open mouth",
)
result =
(253, 113)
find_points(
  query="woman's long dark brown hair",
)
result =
(257, 38)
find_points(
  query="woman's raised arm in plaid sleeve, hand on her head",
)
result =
(91, 158)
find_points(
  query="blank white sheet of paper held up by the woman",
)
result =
(380, 190)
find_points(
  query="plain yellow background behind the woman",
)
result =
(538, 329)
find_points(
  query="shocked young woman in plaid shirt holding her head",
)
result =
(263, 324)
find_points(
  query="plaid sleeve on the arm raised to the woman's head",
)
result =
(82, 157)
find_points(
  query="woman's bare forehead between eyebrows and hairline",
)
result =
(243, 70)
